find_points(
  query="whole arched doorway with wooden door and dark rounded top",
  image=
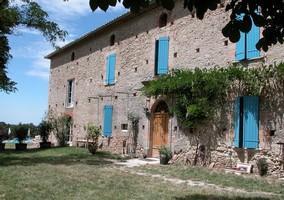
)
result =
(159, 127)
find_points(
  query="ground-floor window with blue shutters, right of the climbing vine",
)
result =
(246, 122)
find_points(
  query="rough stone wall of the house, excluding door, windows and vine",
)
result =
(192, 43)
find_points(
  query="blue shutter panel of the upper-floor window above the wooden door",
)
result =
(163, 55)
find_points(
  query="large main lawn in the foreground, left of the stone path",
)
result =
(73, 173)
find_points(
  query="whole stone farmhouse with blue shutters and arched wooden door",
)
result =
(98, 78)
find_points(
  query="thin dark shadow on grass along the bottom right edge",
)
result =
(217, 197)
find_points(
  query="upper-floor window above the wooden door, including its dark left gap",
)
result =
(162, 56)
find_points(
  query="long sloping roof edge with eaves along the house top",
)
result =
(99, 30)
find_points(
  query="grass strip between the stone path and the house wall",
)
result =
(248, 183)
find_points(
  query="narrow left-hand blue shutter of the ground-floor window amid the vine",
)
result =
(237, 122)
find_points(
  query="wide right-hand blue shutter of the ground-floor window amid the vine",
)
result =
(251, 121)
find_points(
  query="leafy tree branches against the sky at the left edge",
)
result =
(28, 14)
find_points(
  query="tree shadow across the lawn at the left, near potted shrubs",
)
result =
(55, 156)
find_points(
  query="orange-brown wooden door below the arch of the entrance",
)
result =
(159, 134)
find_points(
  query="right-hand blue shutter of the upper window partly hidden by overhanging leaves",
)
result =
(252, 38)
